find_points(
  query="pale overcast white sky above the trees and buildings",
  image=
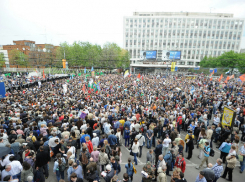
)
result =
(96, 21)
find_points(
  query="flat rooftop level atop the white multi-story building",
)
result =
(189, 14)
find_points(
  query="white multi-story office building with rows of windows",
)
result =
(194, 34)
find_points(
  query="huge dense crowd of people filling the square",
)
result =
(82, 128)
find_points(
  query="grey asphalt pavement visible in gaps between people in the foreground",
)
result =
(190, 173)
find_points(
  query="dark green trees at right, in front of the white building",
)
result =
(229, 59)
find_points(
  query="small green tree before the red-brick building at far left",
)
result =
(18, 58)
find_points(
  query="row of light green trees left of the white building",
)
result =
(85, 54)
